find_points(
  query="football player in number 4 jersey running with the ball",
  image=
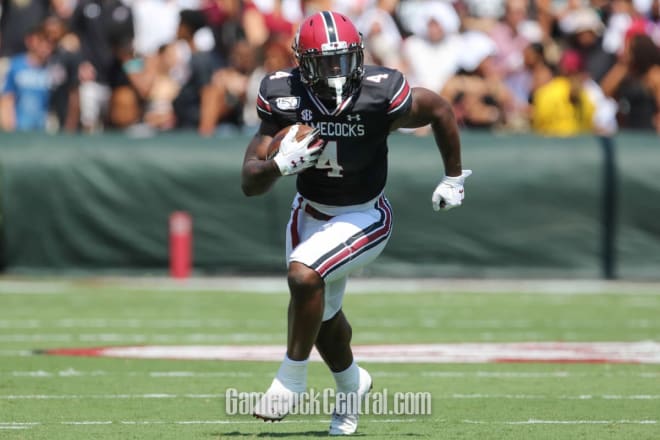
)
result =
(340, 218)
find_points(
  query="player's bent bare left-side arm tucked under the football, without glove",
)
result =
(259, 174)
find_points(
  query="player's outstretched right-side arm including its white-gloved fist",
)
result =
(430, 108)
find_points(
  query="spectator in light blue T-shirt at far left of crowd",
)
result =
(25, 93)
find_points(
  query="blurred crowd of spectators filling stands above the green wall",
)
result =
(553, 67)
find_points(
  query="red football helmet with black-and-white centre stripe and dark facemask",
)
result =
(330, 55)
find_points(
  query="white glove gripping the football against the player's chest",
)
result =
(295, 156)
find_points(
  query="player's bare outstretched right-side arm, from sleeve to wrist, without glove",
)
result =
(430, 108)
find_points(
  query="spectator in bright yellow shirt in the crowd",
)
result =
(563, 106)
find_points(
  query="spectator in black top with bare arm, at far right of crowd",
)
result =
(634, 82)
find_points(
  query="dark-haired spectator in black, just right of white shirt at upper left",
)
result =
(193, 106)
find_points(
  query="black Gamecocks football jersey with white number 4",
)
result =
(353, 166)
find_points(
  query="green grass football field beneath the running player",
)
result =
(61, 398)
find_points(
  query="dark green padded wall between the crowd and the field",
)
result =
(535, 207)
